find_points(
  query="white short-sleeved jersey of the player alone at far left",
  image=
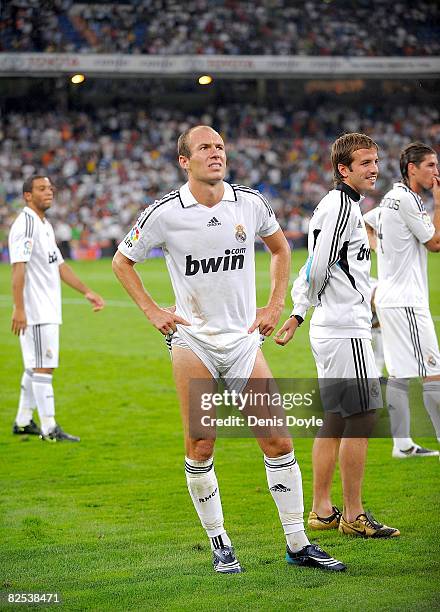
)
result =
(32, 240)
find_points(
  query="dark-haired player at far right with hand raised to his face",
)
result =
(405, 234)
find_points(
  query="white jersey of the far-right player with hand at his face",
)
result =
(402, 226)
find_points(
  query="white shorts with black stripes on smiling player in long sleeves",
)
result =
(347, 374)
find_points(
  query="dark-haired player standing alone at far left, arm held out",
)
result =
(37, 271)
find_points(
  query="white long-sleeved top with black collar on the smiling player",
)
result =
(336, 276)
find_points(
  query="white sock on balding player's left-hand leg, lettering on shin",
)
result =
(204, 491)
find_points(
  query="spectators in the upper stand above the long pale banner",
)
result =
(230, 27)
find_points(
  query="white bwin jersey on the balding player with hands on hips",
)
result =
(209, 252)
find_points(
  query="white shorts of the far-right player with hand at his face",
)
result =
(409, 341)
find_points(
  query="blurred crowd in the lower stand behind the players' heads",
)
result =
(107, 166)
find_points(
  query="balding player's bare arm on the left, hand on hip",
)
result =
(161, 318)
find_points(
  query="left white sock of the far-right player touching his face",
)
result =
(397, 394)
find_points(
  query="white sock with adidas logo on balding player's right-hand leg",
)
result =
(285, 484)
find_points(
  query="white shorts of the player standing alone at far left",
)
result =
(40, 346)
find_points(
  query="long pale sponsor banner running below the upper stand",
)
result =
(218, 65)
